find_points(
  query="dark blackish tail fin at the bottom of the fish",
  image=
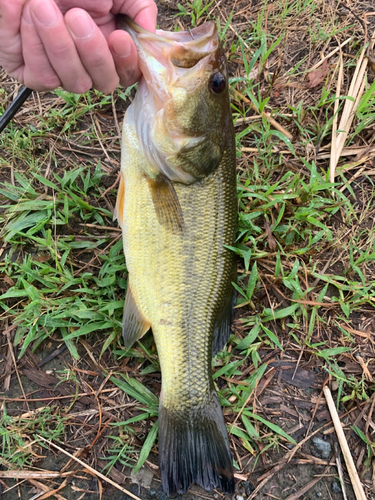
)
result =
(194, 447)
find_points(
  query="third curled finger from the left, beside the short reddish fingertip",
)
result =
(93, 50)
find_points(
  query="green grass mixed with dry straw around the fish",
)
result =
(306, 246)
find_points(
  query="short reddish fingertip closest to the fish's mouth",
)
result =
(125, 57)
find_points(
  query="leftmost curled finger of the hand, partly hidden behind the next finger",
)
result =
(38, 73)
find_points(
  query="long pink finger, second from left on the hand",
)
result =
(59, 46)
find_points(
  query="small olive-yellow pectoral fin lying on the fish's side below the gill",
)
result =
(167, 206)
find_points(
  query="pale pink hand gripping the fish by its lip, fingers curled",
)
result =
(73, 44)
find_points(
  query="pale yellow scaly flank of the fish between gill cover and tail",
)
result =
(185, 263)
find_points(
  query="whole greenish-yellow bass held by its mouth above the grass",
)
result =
(177, 206)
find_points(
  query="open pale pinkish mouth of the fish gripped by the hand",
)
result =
(182, 49)
